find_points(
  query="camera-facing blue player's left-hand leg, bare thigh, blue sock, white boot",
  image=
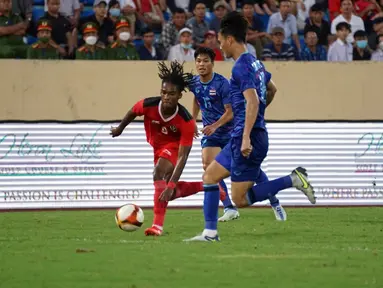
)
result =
(230, 212)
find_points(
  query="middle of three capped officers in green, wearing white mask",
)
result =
(91, 50)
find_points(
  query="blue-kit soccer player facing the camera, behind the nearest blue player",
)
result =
(212, 96)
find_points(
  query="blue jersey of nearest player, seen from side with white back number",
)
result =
(248, 73)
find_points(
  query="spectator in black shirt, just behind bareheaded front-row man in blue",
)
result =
(318, 24)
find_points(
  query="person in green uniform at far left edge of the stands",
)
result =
(12, 30)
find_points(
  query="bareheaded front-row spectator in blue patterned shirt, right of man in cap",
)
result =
(313, 51)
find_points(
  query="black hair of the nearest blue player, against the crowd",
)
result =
(235, 25)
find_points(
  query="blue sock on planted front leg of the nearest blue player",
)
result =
(210, 206)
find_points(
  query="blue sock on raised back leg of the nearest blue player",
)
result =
(263, 191)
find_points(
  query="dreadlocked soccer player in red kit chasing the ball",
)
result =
(169, 130)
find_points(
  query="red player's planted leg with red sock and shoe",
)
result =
(162, 171)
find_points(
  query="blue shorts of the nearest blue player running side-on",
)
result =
(245, 169)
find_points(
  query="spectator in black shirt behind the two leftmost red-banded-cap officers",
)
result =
(62, 30)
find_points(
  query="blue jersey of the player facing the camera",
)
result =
(211, 97)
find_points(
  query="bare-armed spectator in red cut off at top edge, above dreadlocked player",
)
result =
(150, 13)
